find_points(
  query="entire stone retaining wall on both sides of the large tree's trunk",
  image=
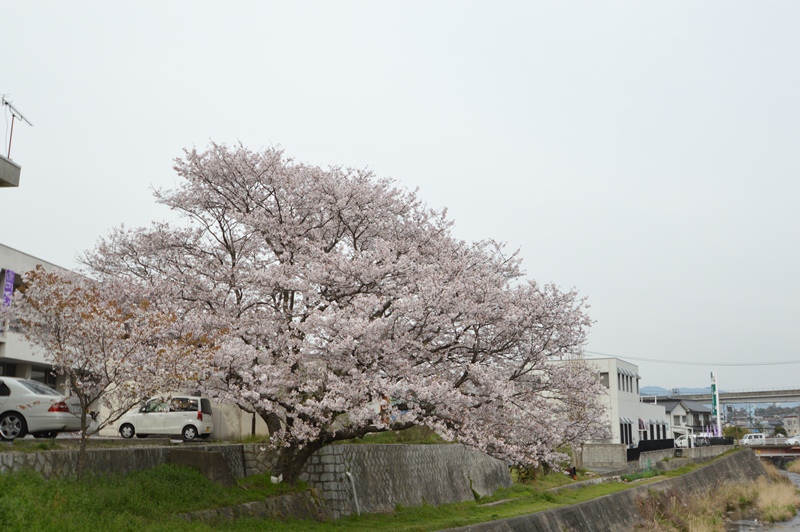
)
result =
(380, 476)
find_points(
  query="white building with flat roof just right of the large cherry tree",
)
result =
(629, 419)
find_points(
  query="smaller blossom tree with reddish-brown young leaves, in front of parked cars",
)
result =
(113, 346)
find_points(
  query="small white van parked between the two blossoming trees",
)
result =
(173, 415)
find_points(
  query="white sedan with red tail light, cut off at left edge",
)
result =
(30, 407)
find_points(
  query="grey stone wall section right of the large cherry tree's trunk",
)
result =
(384, 476)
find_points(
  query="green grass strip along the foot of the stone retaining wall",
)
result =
(153, 500)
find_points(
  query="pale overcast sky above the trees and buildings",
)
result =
(645, 153)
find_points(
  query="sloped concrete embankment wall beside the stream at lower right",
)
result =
(618, 511)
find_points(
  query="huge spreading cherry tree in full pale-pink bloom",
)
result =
(349, 307)
